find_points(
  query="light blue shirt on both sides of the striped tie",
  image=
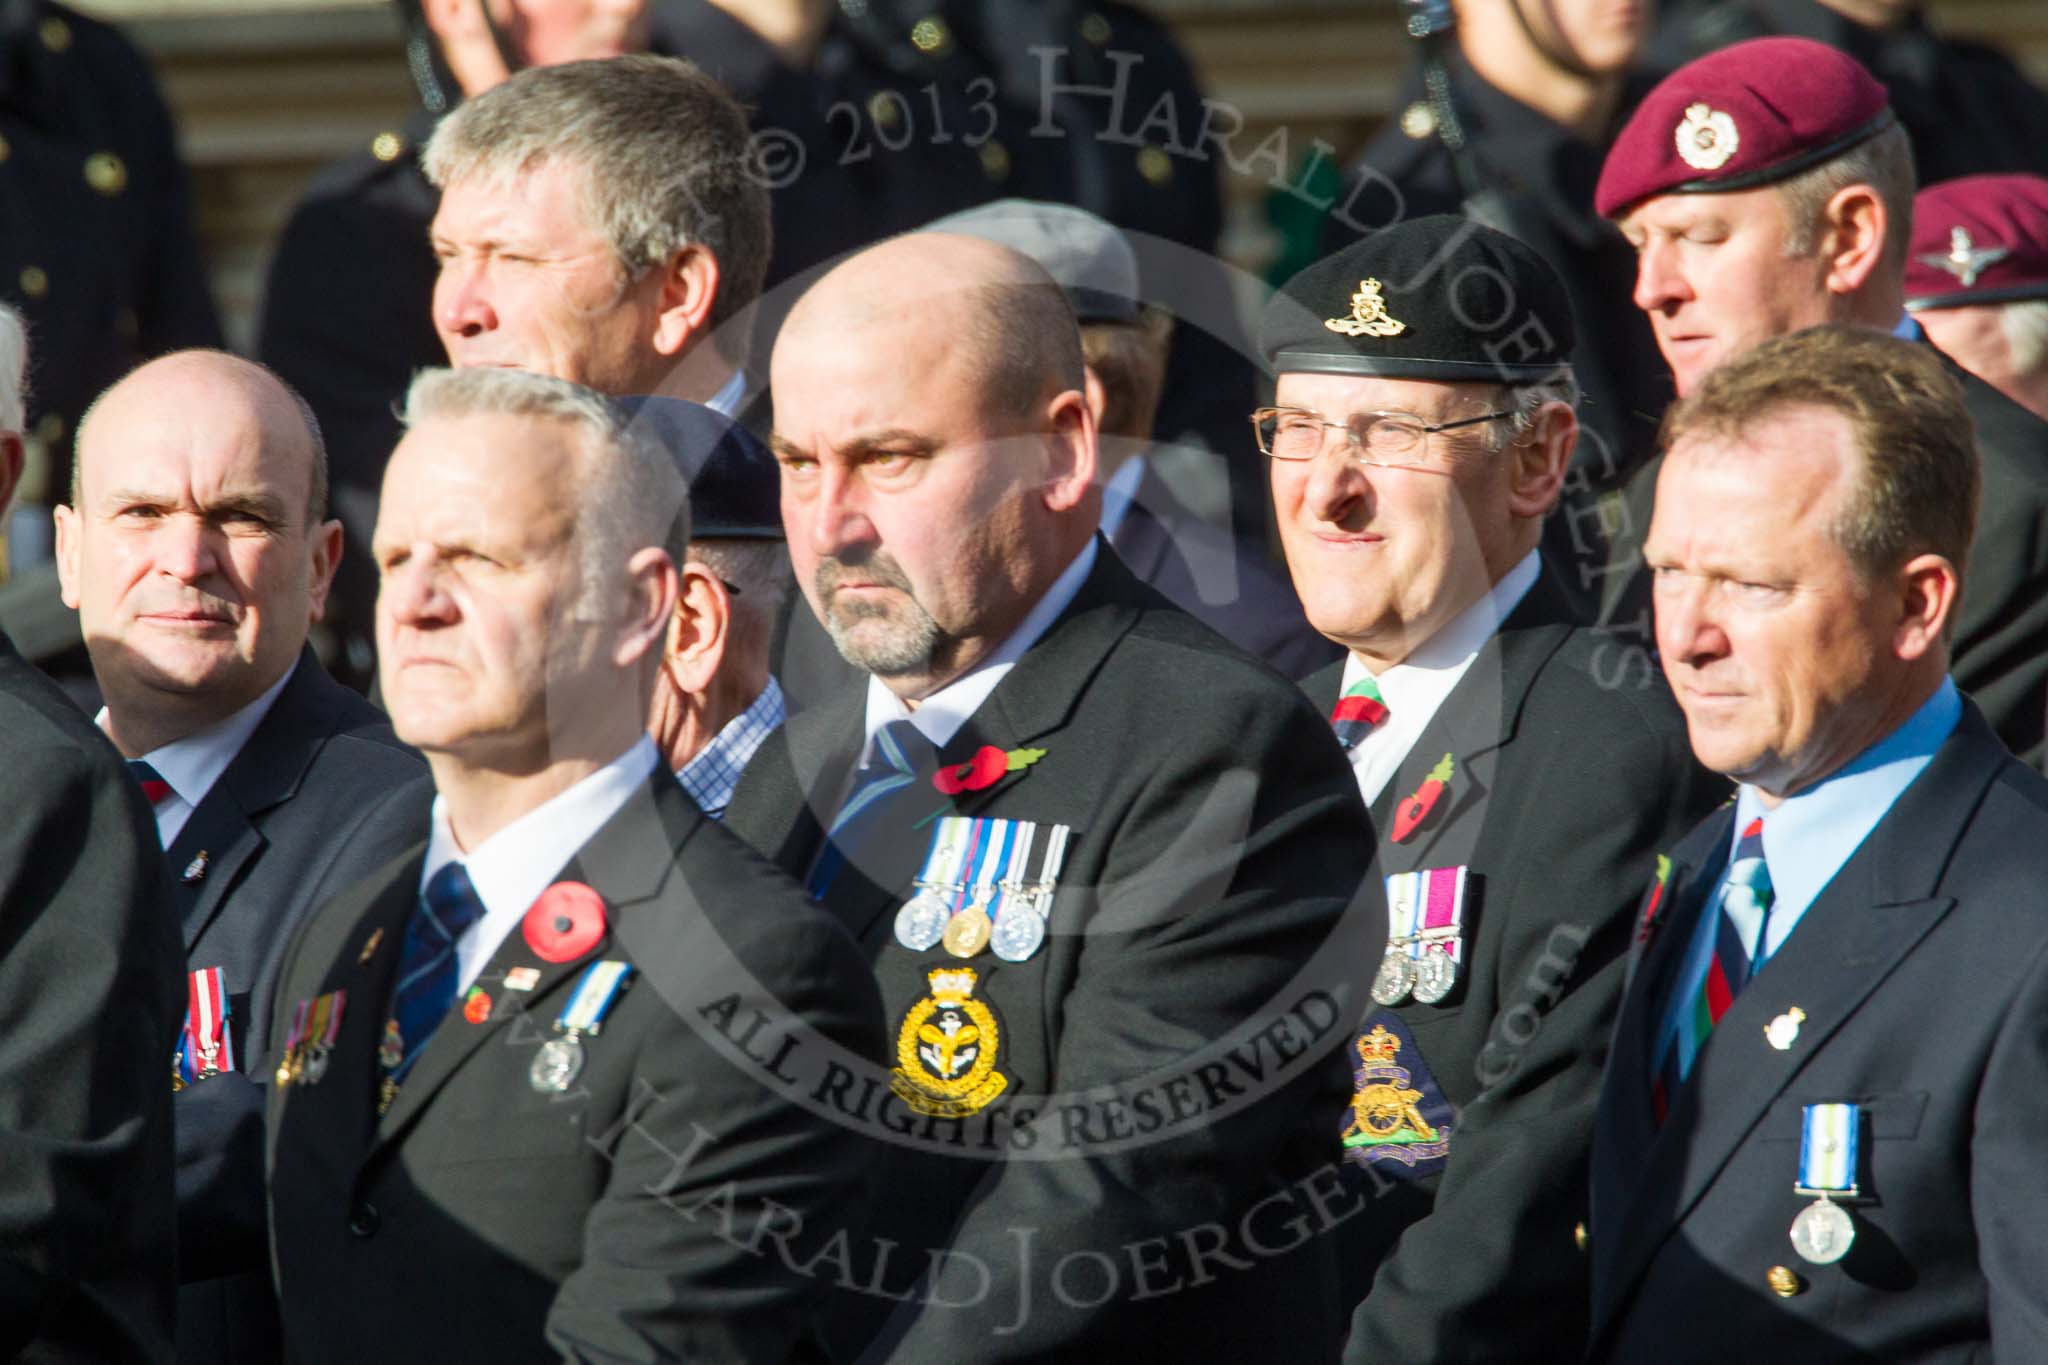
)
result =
(1811, 836)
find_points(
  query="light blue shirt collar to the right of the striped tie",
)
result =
(1811, 836)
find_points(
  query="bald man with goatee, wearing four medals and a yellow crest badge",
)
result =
(1091, 848)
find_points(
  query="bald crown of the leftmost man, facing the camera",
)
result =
(220, 390)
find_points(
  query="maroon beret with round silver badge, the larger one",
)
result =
(1740, 118)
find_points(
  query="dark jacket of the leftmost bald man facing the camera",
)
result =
(296, 818)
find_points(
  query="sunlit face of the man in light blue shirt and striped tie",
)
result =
(1768, 633)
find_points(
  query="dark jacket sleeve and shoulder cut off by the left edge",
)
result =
(91, 996)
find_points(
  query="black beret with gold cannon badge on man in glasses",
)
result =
(1439, 298)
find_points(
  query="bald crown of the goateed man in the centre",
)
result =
(1011, 318)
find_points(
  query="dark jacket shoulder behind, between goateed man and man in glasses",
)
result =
(1220, 580)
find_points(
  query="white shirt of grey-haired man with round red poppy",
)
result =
(521, 861)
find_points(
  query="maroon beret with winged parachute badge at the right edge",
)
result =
(1979, 240)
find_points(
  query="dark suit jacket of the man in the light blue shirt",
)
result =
(1922, 971)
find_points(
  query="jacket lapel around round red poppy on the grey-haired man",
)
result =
(628, 863)
